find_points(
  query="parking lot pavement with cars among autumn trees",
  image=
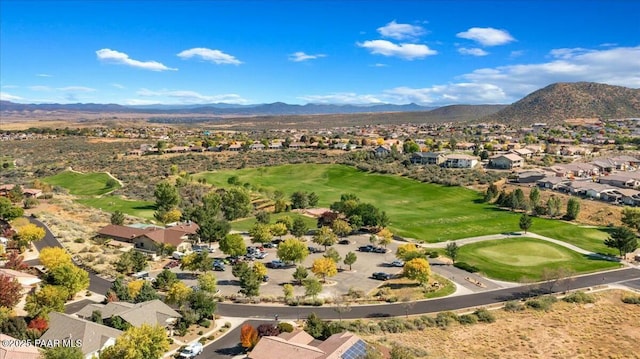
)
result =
(358, 278)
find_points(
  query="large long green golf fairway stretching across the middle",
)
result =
(427, 212)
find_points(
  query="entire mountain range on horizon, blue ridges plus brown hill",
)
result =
(555, 103)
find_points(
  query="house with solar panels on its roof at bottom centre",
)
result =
(299, 344)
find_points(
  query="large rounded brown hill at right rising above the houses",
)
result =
(562, 101)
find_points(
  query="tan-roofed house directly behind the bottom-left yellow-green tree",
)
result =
(153, 312)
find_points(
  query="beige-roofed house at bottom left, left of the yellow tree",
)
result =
(92, 337)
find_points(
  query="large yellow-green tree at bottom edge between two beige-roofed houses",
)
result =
(144, 342)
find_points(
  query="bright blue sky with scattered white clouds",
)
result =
(432, 53)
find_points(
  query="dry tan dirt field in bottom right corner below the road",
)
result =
(606, 329)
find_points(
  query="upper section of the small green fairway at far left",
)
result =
(83, 184)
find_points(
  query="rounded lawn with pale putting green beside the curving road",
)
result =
(522, 259)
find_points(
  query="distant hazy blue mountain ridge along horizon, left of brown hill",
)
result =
(276, 108)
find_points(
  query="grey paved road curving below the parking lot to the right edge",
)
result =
(429, 306)
